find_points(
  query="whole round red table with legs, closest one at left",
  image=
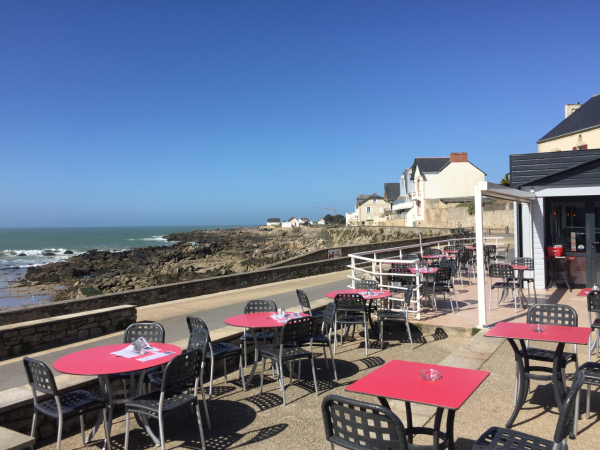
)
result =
(101, 362)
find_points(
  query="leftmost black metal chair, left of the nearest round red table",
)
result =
(61, 407)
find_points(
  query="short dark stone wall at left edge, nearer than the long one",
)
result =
(36, 335)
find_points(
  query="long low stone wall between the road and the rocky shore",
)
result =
(174, 291)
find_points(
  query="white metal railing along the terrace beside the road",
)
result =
(372, 264)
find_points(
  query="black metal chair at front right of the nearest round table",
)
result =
(179, 373)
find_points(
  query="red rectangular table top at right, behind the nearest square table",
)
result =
(553, 333)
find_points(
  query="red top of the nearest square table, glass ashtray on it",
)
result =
(400, 380)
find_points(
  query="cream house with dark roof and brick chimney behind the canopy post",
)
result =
(450, 179)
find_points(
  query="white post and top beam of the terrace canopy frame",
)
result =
(492, 190)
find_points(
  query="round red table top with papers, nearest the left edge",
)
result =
(99, 361)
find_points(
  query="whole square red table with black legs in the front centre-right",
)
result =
(401, 380)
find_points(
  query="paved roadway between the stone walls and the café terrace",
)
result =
(212, 308)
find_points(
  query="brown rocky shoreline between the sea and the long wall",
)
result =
(195, 255)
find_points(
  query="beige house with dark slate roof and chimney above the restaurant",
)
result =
(580, 130)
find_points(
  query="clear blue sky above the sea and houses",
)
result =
(230, 112)
